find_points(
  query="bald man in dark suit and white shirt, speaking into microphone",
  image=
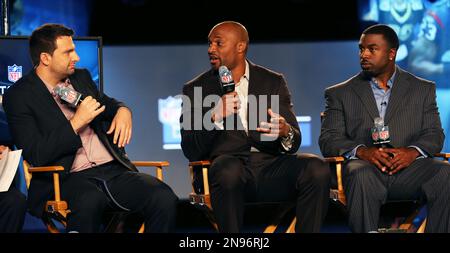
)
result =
(252, 157)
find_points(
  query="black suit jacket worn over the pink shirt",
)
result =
(39, 127)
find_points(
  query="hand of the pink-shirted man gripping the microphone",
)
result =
(86, 112)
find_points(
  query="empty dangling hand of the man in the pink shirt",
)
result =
(122, 126)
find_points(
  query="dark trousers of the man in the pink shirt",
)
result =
(91, 192)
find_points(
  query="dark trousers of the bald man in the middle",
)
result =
(304, 179)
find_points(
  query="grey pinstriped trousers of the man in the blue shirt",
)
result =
(367, 188)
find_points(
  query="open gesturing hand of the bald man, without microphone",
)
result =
(278, 127)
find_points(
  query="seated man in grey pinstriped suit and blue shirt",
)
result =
(372, 175)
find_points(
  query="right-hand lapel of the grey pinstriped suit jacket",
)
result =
(399, 91)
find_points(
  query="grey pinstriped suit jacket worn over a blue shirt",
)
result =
(412, 115)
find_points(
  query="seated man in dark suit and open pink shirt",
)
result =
(87, 140)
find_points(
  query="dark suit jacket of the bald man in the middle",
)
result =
(208, 144)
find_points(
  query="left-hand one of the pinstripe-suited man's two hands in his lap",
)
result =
(378, 156)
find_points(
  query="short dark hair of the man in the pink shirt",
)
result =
(43, 40)
